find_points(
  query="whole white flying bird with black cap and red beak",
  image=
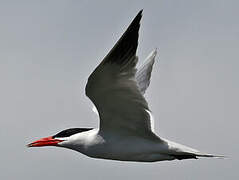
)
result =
(126, 129)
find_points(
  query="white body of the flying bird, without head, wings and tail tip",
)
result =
(124, 147)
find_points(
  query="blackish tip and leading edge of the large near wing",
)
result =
(122, 54)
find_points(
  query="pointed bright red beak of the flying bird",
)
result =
(48, 141)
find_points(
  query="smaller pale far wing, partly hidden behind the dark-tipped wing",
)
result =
(144, 73)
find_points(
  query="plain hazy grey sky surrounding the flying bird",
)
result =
(48, 49)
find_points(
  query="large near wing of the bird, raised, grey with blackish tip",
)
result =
(114, 91)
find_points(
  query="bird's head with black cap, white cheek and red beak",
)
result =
(57, 139)
